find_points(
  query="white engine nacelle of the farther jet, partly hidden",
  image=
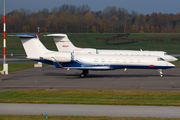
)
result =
(85, 51)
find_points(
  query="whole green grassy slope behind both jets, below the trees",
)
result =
(90, 41)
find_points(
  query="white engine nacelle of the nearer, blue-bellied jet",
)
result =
(58, 56)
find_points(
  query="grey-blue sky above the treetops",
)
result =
(140, 6)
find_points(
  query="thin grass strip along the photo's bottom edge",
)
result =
(43, 117)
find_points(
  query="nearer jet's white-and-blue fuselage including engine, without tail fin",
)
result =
(103, 61)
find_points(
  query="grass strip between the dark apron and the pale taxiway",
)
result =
(99, 97)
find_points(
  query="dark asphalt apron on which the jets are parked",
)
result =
(50, 77)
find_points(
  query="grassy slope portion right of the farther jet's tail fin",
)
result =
(89, 40)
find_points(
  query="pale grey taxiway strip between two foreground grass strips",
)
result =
(90, 110)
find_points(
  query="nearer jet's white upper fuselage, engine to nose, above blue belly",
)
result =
(123, 60)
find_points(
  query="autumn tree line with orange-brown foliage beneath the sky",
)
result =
(72, 19)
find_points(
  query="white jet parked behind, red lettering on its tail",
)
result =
(64, 44)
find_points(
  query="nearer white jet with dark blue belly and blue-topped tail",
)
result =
(35, 50)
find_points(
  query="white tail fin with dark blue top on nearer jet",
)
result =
(32, 45)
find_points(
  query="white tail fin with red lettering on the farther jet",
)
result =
(62, 42)
